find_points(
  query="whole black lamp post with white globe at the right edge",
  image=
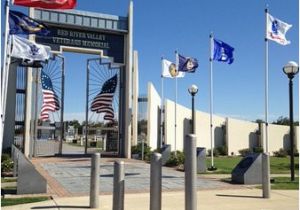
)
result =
(291, 69)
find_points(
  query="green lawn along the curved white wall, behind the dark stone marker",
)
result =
(226, 164)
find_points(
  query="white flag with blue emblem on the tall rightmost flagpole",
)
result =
(276, 30)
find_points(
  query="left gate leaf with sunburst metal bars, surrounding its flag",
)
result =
(54, 68)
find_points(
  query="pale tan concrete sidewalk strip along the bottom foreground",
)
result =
(232, 199)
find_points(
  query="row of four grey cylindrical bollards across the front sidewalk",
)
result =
(155, 179)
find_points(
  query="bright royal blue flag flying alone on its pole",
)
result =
(223, 52)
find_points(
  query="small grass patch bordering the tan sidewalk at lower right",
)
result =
(284, 183)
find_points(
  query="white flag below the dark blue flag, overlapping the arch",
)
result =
(29, 50)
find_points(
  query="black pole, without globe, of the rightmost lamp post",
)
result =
(291, 129)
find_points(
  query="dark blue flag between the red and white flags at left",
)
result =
(22, 24)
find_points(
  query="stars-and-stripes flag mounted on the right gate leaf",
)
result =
(102, 103)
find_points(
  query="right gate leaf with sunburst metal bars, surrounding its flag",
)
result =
(99, 70)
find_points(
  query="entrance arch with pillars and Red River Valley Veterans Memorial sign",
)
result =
(108, 36)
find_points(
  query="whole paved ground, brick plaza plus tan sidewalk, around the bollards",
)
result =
(68, 184)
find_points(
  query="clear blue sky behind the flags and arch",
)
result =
(161, 27)
